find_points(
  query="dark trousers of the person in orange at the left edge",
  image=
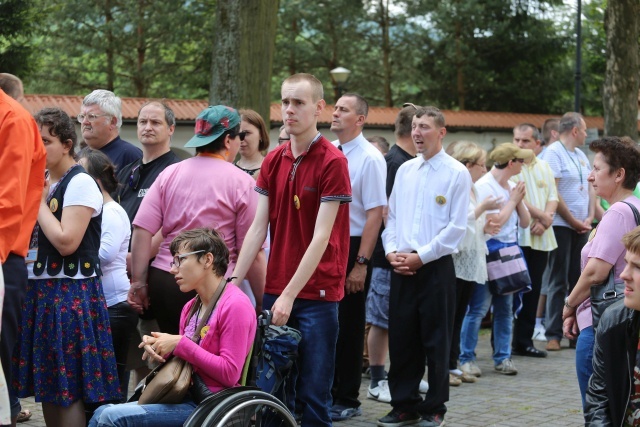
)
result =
(14, 271)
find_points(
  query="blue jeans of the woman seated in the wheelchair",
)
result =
(134, 415)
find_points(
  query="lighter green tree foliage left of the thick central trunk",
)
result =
(134, 47)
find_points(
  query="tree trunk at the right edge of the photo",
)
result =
(621, 79)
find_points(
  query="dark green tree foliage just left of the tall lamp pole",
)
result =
(496, 55)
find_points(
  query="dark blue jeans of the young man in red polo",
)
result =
(317, 322)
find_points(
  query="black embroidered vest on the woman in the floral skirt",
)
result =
(85, 258)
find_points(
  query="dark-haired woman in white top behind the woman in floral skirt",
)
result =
(114, 245)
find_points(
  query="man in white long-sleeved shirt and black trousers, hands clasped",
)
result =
(427, 220)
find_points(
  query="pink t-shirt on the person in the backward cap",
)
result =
(199, 192)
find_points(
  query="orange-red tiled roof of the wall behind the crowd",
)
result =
(188, 109)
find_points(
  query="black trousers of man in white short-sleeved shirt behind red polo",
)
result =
(351, 322)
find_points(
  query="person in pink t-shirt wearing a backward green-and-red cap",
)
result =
(204, 191)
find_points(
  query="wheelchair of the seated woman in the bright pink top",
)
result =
(246, 405)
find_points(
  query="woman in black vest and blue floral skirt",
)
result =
(65, 355)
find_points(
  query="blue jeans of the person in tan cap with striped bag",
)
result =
(480, 302)
